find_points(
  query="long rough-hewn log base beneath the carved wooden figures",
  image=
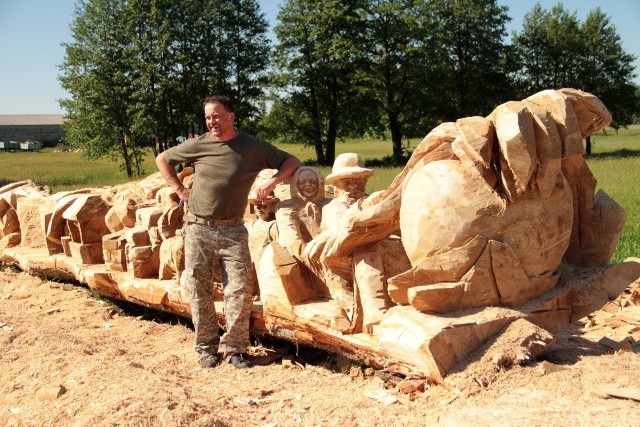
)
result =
(406, 341)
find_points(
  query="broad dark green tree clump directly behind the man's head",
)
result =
(190, 50)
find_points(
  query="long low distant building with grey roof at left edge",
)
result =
(44, 128)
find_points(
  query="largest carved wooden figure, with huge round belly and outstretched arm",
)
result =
(486, 205)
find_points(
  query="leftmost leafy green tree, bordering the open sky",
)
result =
(96, 71)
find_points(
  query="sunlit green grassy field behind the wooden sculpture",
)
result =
(615, 162)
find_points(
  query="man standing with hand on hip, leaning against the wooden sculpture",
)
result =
(226, 163)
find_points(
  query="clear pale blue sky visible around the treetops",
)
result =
(31, 33)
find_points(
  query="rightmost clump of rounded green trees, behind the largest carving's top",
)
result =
(555, 50)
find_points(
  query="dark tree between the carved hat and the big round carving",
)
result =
(397, 74)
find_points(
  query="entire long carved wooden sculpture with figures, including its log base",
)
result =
(493, 219)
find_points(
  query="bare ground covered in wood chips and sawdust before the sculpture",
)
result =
(68, 358)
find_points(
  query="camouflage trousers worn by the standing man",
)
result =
(204, 247)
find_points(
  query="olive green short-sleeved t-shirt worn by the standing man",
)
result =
(224, 171)
